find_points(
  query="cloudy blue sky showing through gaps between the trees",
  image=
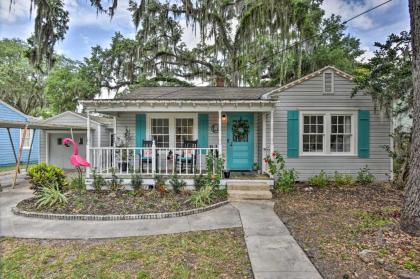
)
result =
(88, 29)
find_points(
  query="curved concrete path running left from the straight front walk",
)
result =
(16, 226)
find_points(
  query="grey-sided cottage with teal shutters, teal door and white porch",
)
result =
(313, 122)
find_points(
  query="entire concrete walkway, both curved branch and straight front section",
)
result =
(272, 250)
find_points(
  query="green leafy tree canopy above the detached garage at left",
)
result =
(35, 92)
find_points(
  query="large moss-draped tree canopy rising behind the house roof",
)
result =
(247, 43)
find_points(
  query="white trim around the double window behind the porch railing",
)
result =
(172, 122)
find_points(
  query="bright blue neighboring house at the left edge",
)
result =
(7, 156)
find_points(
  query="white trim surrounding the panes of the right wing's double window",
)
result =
(327, 133)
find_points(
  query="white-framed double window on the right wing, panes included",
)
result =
(327, 133)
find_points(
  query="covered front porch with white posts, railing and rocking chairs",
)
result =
(189, 138)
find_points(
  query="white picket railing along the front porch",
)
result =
(150, 160)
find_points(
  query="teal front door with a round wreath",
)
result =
(240, 141)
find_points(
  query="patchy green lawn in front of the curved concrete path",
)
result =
(209, 254)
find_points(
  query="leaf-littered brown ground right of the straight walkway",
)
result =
(351, 232)
